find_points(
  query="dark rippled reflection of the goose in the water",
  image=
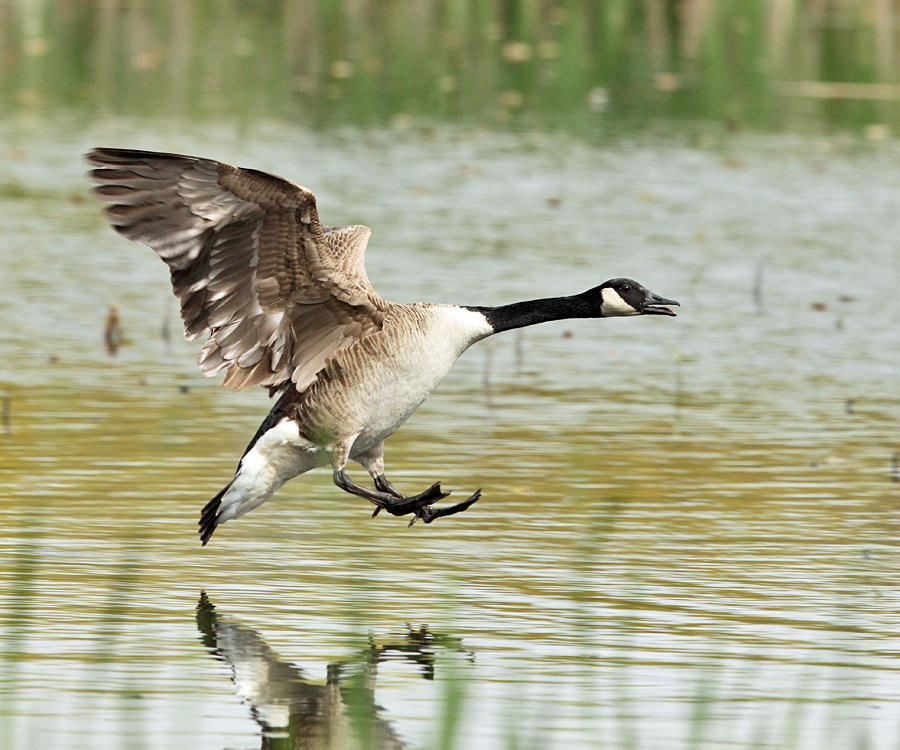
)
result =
(296, 712)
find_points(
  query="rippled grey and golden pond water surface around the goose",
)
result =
(688, 535)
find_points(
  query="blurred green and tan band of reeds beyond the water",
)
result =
(566, 64)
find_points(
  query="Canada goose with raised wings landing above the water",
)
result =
(287, 305)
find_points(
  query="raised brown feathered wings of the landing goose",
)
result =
(251, 264)
